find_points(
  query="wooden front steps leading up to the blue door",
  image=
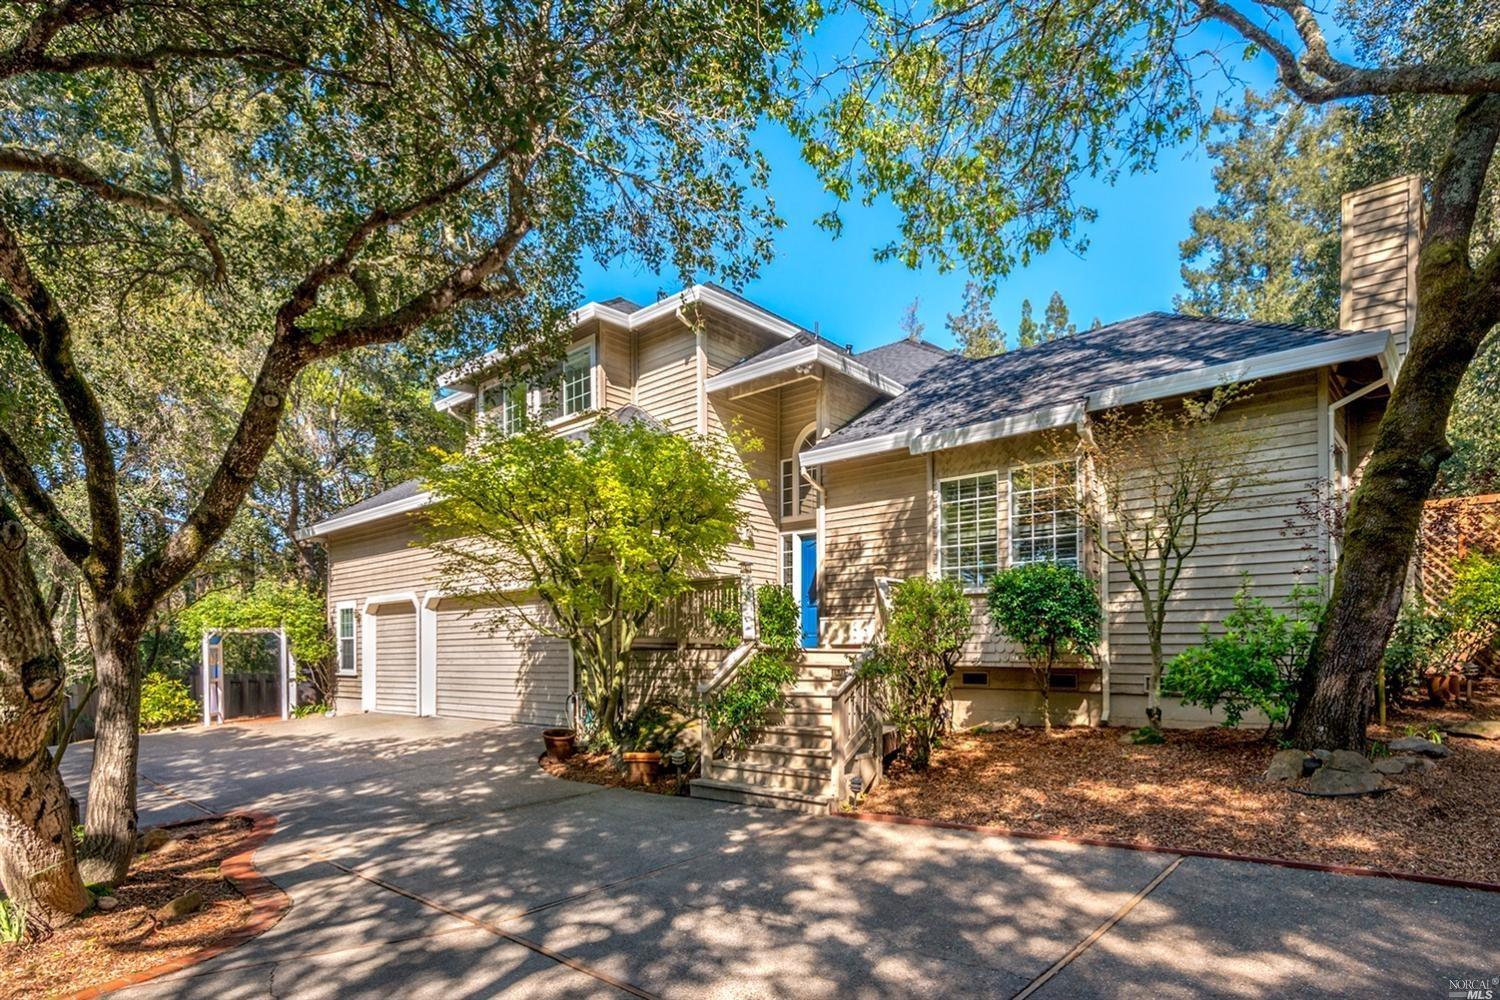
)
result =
(791, 765)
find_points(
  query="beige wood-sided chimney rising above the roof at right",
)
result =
(1379, 239)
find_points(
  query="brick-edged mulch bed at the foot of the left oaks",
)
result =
(104, 947)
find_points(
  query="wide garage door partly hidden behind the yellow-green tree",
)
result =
(505, 675)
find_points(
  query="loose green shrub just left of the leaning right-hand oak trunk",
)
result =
(1256, 665)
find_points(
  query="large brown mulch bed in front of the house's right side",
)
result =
(1204, 791)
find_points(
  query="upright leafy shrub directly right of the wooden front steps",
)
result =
(911, 665)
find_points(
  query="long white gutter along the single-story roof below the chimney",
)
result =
(1351, 349)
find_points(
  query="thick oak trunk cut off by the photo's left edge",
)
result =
(37, 833)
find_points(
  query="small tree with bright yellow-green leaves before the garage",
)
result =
(604, 528)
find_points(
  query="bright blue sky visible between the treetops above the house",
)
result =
(1132, 265)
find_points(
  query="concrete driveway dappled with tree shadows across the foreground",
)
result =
(433, 858)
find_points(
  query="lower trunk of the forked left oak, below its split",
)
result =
(110, 824)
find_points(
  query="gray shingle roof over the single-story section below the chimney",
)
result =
(958, 392)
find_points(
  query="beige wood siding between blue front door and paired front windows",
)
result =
(875, 525)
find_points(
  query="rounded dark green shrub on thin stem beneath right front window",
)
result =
(1051, 611)
